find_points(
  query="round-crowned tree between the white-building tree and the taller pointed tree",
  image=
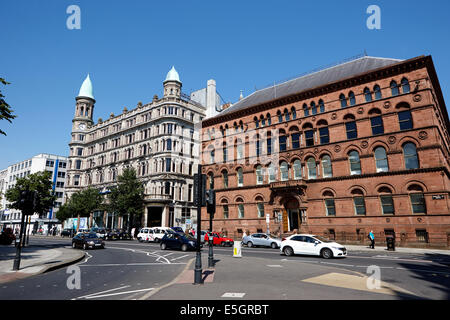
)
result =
(82, 203)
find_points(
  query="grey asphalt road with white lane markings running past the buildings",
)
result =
(129, 270)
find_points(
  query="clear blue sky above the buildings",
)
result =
(129, 46)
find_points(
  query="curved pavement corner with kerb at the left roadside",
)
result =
(35, 260)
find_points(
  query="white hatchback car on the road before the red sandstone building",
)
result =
(312, 245)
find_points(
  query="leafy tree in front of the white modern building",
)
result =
(39, 182)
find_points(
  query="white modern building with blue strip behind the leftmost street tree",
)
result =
(56, 165)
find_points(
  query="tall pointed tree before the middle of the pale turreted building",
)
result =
(127, 198)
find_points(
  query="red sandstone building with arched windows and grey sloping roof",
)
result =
(360, 146)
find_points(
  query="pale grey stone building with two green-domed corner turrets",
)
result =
(159, 139)
